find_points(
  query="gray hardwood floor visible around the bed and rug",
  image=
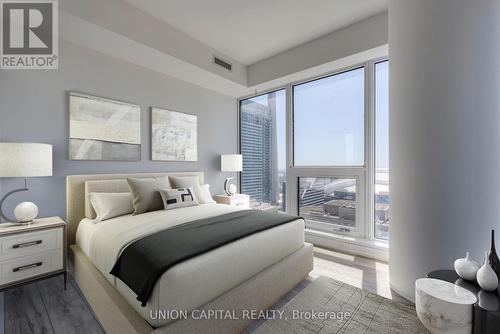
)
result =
(45, 307)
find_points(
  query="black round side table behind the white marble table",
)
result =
(486, 318)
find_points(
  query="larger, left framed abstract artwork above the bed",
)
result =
(103, 129)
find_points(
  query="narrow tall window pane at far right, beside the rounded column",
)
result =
(382, 150)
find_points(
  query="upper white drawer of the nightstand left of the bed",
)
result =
(24, 244)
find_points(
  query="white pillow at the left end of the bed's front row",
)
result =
(109, 205)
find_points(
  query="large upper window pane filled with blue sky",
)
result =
(328, 120)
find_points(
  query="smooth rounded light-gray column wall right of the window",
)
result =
(444, 134)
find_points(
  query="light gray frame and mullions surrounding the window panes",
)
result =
(364, 175)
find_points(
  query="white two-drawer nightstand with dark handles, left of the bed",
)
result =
(32, 252)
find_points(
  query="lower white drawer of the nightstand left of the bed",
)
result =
(30, 266)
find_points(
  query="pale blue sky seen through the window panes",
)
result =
(329, 120)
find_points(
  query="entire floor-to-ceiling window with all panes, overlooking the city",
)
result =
(319, 149)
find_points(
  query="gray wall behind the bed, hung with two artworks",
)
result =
(34, 108)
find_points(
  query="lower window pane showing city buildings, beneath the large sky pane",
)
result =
(328, 202)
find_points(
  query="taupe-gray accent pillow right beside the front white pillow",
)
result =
(145, 194)
